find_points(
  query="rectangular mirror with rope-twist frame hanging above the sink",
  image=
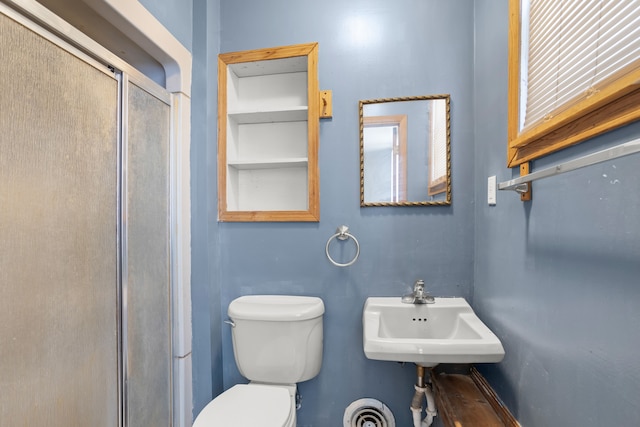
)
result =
(405, 151)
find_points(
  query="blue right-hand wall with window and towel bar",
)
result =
(558, 278)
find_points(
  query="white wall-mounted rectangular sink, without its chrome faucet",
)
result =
(447, 331)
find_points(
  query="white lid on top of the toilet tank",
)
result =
(276, 307)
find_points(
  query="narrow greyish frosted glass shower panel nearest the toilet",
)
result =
(146, 271)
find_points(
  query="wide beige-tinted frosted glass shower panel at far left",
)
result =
(58, 239)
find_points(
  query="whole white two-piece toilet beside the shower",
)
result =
(277, 342)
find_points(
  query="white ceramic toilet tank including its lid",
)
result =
(277, 338)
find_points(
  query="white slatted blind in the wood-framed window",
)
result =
(573, 48)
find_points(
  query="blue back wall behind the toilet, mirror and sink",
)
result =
(367, 49)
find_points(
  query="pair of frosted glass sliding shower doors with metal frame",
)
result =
(85, 237)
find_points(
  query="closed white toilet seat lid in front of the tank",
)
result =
(248, 405)
